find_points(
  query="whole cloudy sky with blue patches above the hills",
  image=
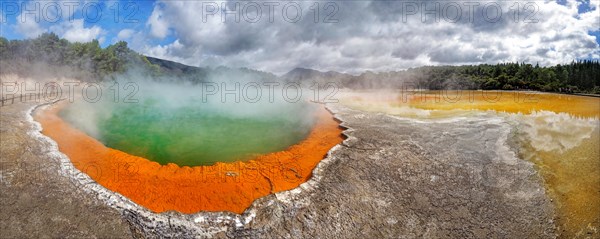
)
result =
(346, 36)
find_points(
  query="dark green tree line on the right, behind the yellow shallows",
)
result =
(575, 77)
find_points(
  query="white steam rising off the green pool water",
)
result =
(164, 97)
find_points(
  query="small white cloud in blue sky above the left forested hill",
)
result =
(75, 31)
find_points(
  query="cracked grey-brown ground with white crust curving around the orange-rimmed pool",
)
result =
(391, 177)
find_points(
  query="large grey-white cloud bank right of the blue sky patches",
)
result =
(374, 36)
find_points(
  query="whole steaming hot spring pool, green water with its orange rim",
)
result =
(125, 148)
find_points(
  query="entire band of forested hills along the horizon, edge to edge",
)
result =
(89, 61)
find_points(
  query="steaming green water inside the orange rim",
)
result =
(194, 134)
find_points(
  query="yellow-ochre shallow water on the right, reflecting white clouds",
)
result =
(559, 133)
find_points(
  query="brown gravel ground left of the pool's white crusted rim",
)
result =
(36, 200)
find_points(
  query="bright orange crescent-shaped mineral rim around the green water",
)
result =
(219, 187)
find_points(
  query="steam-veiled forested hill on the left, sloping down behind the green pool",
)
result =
(49, 55)
